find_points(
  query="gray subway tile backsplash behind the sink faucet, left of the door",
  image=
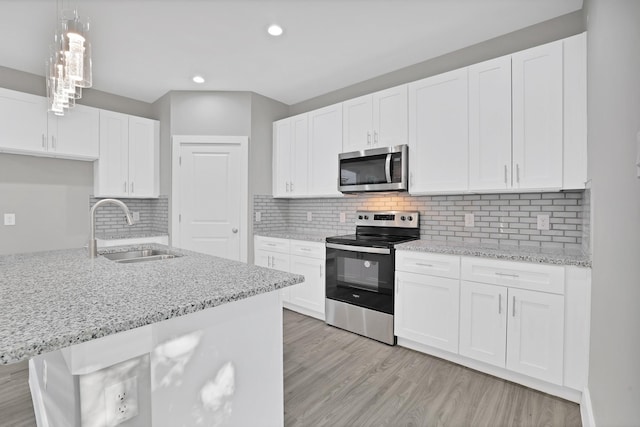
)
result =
(154, 216)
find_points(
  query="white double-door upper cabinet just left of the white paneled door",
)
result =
(129, 157)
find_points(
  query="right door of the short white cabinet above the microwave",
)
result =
(390, 117)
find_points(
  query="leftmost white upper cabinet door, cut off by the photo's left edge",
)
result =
(23, 122)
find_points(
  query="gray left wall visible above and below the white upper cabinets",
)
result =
(50, 197)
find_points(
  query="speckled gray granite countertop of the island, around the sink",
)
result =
(51, 300)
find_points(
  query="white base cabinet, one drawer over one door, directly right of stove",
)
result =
(426, 303)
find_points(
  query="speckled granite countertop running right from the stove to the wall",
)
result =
(510, 253)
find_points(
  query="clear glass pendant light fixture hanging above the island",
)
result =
(68, 68)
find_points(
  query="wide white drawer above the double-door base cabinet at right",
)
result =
(535, 277)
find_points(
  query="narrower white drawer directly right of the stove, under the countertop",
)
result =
(428, 263)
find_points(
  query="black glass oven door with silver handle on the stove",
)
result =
(363, 276)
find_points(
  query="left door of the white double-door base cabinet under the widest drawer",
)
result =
(483, 322)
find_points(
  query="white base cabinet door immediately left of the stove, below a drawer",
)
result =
(310, 293)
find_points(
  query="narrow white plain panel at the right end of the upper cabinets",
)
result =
(575, 112)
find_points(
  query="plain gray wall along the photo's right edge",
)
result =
(614, 119)
